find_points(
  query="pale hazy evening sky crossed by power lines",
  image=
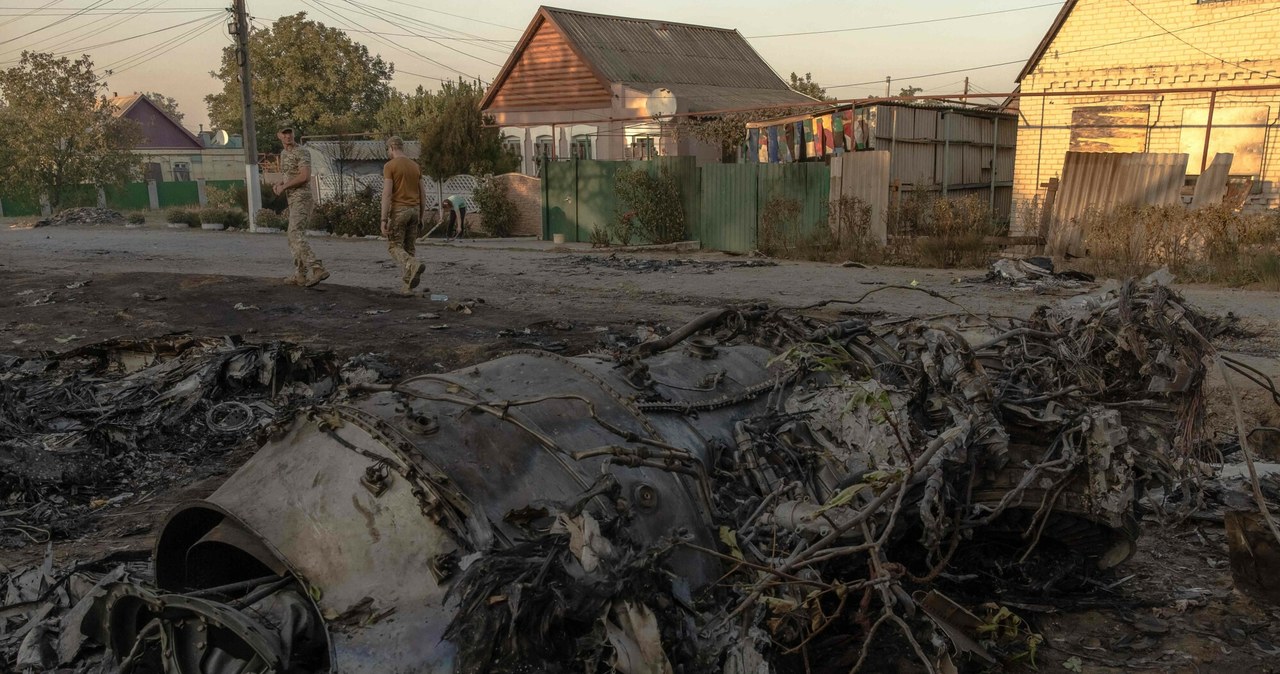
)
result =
(171, 47)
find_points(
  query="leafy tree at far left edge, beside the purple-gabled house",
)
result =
(60, 132)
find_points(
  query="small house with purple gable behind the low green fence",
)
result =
(173, 154)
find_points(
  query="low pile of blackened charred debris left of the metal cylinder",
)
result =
(113, 420)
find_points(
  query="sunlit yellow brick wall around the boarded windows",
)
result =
(1110, 45)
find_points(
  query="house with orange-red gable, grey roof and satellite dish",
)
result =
(589, 86)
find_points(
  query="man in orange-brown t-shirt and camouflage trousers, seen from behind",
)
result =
(403, 212)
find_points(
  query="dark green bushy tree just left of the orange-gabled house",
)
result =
(458, 139)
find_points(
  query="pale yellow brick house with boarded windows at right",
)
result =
(1190, 65)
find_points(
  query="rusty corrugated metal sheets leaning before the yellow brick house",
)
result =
(1101, 182)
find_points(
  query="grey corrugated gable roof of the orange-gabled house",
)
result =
(706, 68)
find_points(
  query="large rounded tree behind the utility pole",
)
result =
(308, 74)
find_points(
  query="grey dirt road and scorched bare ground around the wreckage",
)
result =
(65, 287)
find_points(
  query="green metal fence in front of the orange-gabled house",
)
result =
(724, 203)
